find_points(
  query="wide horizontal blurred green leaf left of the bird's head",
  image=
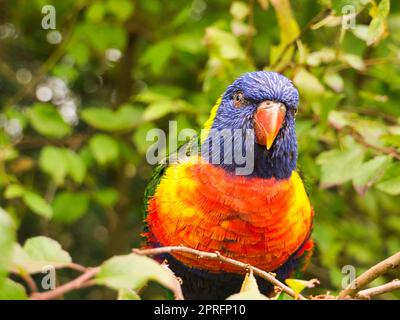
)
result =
(125, 118)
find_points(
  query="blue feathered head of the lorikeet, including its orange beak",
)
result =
(263, 104)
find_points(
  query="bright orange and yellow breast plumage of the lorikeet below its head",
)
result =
(257, 221)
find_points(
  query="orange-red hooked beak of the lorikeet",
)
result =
(268, 120)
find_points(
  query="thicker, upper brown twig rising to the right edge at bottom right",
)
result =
(370, 275)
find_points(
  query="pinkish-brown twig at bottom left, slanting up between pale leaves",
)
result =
(82, 281)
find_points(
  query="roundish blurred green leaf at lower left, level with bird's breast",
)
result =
(69, 206)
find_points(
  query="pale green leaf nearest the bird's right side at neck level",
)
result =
(339, 166)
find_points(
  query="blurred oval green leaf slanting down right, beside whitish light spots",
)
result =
(46, 120)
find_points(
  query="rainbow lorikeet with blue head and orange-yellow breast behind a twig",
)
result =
(263, 217)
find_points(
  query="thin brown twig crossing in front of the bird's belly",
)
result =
(217, 256)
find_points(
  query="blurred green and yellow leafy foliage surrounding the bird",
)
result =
(77, 102)
